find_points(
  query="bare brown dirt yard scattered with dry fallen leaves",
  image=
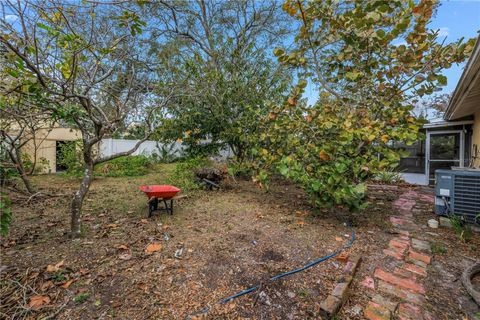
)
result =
(217, 243)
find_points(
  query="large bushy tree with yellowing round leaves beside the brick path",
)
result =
(369, 60)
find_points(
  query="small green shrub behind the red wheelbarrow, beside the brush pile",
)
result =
(183, 175)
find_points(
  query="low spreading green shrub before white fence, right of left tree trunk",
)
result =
(125, 166)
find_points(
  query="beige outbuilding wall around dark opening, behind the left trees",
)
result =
(45, 145)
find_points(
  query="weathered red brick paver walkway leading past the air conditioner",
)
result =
(397, 281)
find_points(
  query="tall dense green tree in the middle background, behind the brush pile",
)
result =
(228, 76)
